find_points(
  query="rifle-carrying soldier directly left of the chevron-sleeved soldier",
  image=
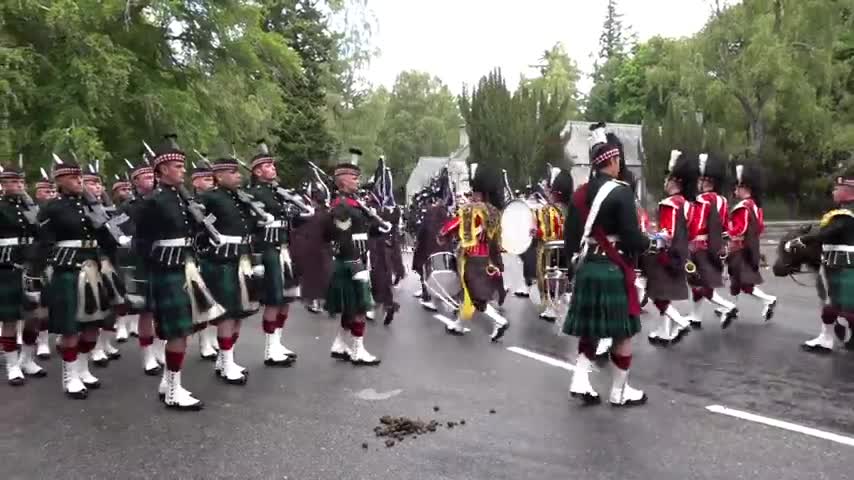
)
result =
(281, 285)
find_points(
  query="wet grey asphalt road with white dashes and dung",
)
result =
(310, 421)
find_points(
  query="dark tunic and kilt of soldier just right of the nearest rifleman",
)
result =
(227, 269)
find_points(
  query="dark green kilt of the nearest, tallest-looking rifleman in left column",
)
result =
(169, 301)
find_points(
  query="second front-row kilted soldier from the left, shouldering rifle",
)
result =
(74, 293)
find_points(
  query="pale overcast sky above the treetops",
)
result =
(512, 34)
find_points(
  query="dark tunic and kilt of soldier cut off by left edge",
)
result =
(17, 236)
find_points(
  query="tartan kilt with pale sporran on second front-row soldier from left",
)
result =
(61, 295)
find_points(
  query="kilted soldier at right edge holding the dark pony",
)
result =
(835, 236)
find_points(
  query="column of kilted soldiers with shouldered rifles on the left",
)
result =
(162, 262)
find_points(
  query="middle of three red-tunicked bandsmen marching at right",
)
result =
(706, 223)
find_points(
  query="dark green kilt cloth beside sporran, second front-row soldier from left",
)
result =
(60, 297)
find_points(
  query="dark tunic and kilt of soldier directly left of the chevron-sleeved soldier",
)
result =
(271, 243)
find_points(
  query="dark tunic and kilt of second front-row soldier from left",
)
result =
(74, 293)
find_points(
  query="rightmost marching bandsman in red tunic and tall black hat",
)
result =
(745, 226)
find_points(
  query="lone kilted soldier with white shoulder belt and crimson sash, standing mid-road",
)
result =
(602, 230)
